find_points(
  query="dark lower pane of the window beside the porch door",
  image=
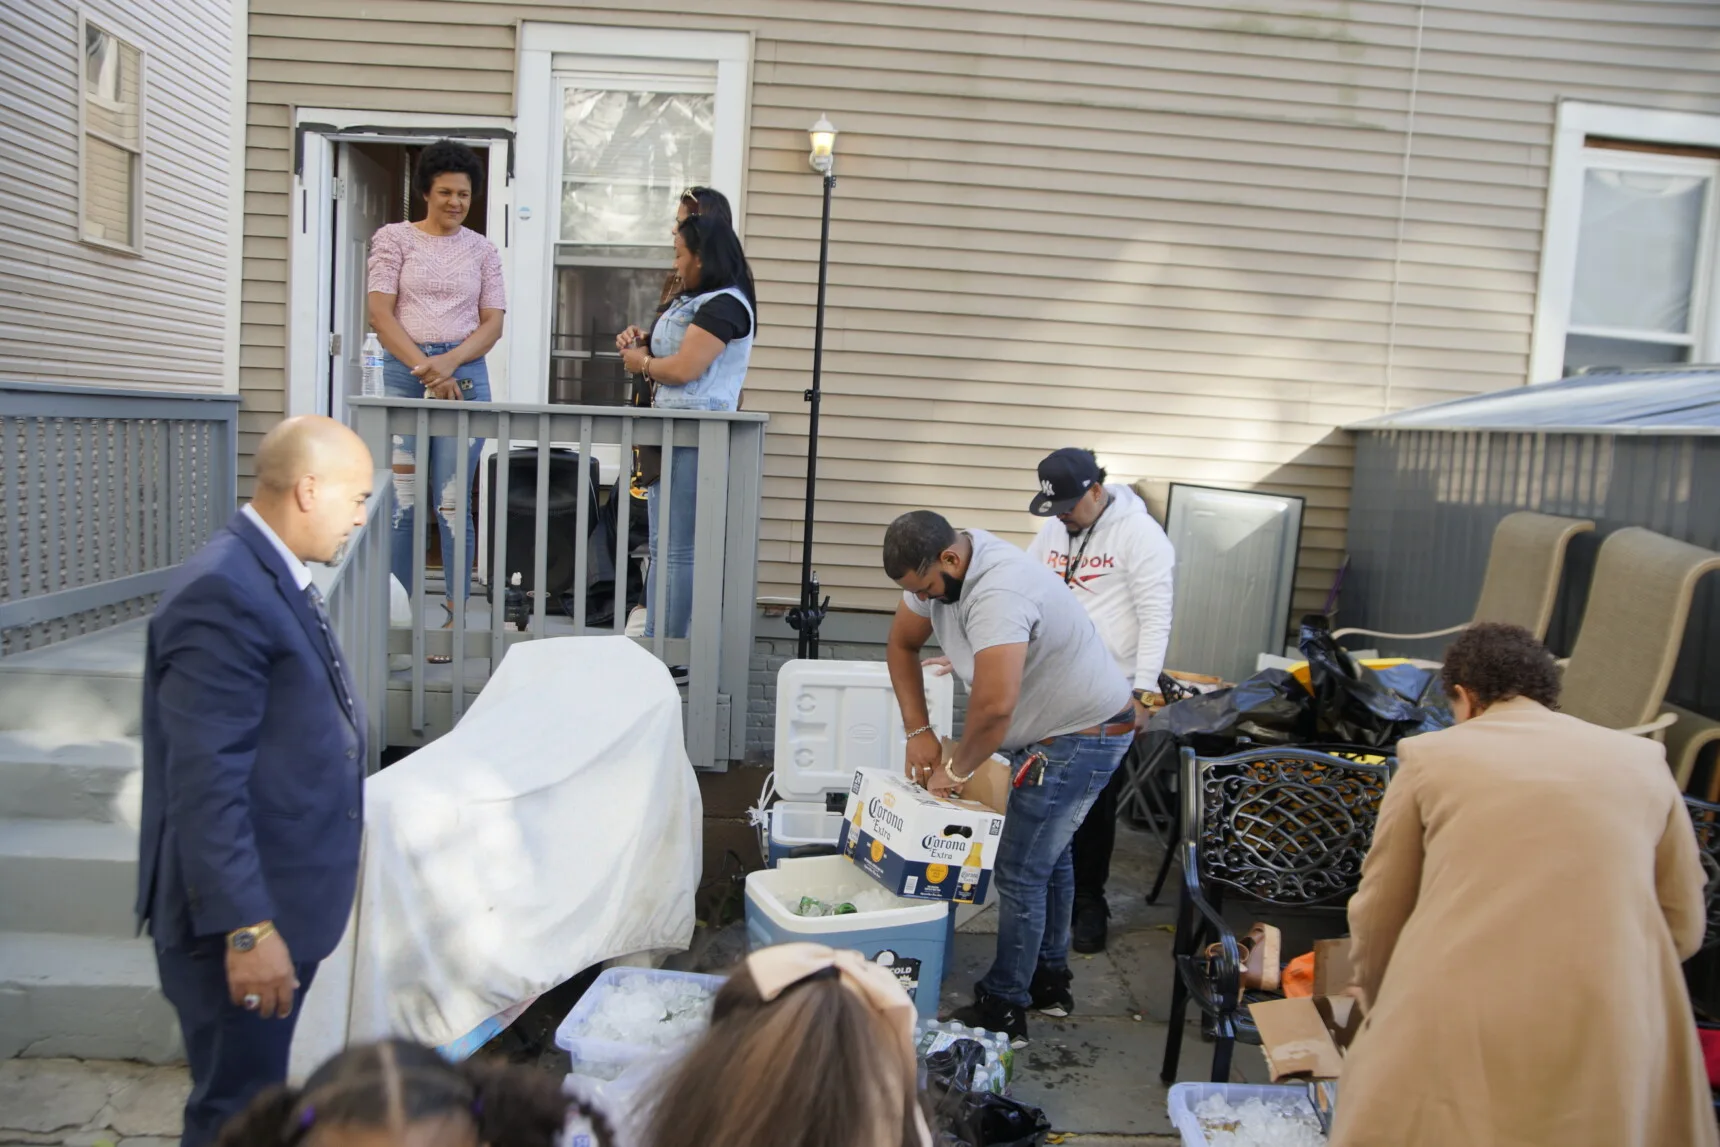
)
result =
(593, 305)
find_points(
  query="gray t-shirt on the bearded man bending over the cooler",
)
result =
(1071, 680)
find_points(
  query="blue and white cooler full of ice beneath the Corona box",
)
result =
(911, 940)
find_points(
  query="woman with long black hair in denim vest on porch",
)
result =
(697, 362)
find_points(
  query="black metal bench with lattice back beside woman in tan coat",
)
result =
(1286, 828)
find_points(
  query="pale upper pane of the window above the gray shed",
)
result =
(1637, 254)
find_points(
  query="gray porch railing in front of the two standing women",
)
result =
(426, 701)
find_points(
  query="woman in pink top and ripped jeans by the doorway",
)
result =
(438, 304)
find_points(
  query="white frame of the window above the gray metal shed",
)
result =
(1564, 219)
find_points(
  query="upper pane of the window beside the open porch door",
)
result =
(627, 157)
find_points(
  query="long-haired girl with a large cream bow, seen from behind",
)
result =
(808, 1048)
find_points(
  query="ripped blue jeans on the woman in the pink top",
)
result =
(445, 470)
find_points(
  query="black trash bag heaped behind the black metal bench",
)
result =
(1368, 708)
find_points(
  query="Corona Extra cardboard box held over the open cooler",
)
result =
(918, 845)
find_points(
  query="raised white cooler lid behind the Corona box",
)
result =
(838, 716)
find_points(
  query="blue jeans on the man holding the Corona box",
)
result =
(1036, 873)
